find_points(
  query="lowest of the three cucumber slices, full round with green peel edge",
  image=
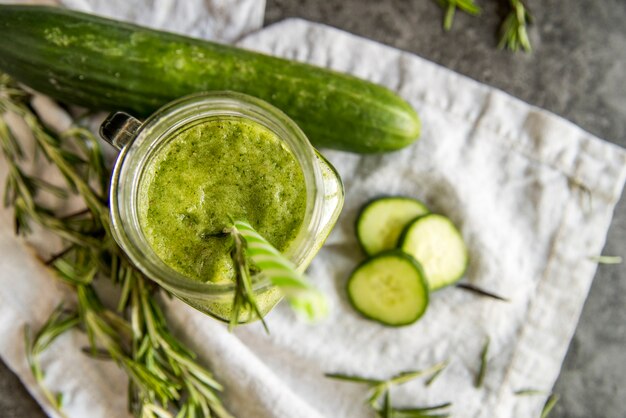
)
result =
(389, 288)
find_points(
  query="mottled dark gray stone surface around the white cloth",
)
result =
(577, 70)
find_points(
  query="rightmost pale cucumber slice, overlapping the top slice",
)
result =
(437, 245)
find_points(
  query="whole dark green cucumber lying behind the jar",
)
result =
(105, 64)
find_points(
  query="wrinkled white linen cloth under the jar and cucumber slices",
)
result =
(515, 179)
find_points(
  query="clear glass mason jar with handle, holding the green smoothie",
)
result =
(141, 142)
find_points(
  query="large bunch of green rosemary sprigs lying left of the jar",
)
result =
(165, 378)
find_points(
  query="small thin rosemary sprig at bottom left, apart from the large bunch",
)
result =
(58, 322)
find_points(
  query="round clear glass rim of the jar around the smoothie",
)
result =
(156, 129)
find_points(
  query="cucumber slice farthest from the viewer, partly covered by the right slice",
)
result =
(382, 220)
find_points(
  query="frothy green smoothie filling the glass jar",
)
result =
(209, 174)
